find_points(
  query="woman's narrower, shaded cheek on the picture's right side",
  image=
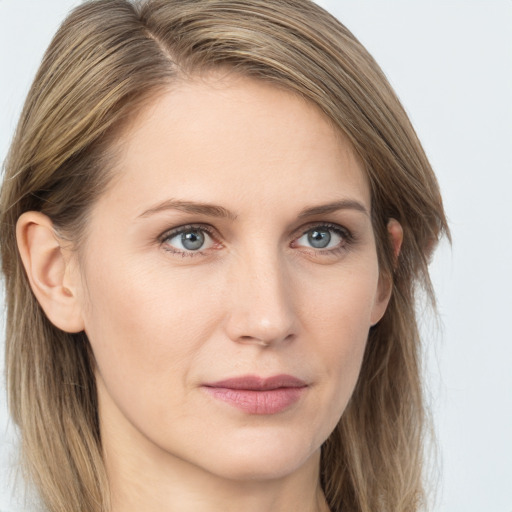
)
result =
(337, 319)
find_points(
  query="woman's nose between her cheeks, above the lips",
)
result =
(260, 306)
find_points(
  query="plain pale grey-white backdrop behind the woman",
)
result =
(451, 64)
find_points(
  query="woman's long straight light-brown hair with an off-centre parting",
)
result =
(106, 60)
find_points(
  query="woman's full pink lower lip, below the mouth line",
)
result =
(269, 401)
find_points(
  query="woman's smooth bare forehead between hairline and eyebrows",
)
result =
(234, 139)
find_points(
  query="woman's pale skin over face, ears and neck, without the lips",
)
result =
(279, 277)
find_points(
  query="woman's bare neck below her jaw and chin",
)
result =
(141, 479)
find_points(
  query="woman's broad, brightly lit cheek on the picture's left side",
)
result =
(146, 328)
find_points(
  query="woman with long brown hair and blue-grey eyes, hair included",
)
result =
(215, 215)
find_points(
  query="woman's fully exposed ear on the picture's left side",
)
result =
(50, 272)
